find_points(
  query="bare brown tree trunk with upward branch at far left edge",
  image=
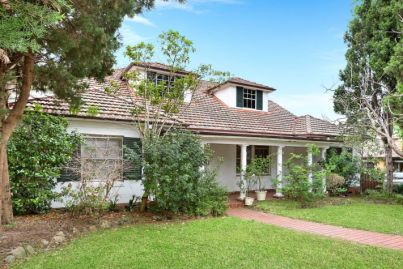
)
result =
(7, 125)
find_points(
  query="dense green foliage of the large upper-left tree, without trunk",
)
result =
(72, 39)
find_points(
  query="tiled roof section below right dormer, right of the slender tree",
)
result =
(206, 113)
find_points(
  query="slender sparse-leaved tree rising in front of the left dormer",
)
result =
(159, 103)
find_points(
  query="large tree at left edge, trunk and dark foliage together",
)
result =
(51, 45)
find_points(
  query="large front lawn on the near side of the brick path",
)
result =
(212, 243)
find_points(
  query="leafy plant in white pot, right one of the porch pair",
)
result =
(259, 167)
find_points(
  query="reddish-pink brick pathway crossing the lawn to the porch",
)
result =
(359, 236)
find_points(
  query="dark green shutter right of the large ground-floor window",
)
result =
(133, 170)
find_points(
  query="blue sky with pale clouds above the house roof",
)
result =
(293, 46)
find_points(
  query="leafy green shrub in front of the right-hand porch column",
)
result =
(298, 187)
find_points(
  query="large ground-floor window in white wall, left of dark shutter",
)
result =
(102, 158)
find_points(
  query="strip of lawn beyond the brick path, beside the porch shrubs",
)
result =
(354, 213)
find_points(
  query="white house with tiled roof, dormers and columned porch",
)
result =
(236, 118)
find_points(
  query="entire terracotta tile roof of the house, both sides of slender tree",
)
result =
(205, 114)
